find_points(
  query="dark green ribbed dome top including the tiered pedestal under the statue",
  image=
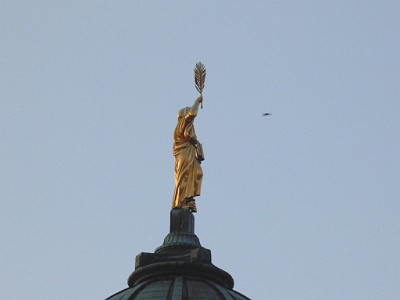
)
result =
(180, 269)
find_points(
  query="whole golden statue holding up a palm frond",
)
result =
(188, 151)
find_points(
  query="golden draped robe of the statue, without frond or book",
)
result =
(188, 172)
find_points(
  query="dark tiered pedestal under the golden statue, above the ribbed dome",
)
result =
(181, 254)
